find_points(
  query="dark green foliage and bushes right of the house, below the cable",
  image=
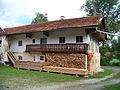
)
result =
(110, 54)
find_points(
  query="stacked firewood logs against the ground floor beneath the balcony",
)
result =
(73, 60)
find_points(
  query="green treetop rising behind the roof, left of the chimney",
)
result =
(40, 18)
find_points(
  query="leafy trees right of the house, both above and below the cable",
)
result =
(110, 9)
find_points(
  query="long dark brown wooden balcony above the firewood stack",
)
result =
(81, 48)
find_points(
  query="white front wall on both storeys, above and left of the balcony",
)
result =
(53, 38)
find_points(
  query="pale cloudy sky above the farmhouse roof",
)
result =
(21, 12)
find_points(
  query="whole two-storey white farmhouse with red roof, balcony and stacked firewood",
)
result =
(65, 46)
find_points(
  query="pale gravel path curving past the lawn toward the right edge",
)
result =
(90, 84)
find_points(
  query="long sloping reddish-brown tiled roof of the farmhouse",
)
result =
(58, 24)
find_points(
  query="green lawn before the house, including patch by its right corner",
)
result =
(11, 77)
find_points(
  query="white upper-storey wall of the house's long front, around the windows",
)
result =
(53, 38)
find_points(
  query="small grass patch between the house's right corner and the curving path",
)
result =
(102, 74)
